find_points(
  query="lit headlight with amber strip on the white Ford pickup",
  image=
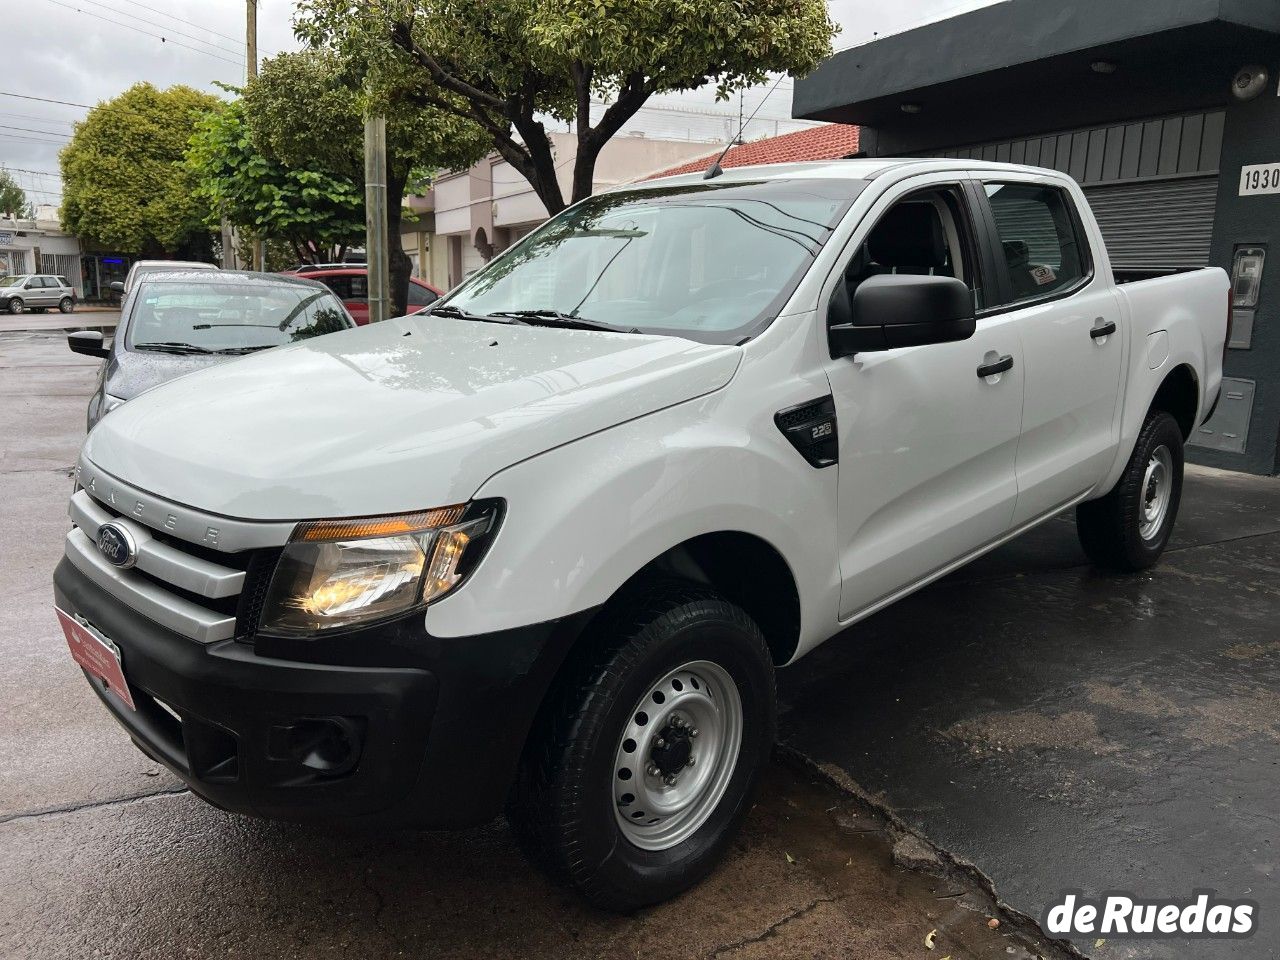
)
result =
(346, 573)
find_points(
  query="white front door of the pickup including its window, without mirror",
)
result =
(927, 445)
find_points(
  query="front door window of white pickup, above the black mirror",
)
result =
(926, 234)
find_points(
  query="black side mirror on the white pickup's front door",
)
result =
(900, 310)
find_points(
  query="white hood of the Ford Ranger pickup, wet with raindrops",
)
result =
(390, 418)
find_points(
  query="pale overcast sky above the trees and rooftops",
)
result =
(90, 51)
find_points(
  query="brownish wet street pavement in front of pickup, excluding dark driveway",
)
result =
(103, 854)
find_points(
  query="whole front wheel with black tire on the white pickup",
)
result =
(671, 662)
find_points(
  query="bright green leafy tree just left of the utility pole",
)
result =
(316, 213)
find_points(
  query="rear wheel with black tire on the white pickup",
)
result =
(1128, 529)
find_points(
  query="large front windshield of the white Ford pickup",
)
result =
(707, 262)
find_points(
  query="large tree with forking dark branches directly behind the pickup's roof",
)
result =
(508, 63)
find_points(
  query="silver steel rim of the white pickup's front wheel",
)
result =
(694, 707)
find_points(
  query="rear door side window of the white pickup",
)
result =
(1039, 237)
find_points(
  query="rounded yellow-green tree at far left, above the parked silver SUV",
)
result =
(125, 184)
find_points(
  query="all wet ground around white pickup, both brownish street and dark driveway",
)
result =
(1048, 726)
